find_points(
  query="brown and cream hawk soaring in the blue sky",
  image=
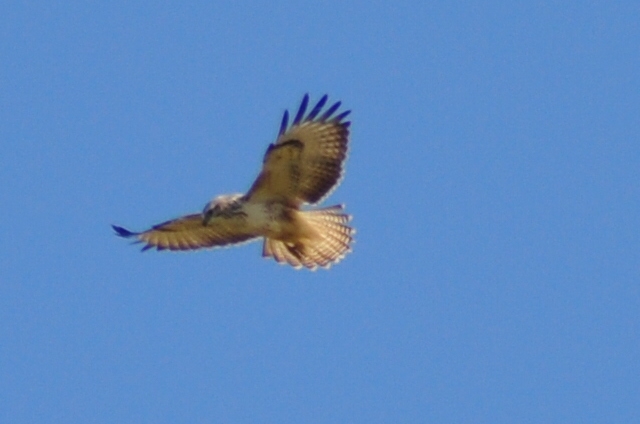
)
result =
(299, 170)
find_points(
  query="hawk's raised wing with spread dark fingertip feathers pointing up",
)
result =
(306, 161)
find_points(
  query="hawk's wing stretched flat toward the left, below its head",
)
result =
(189, 233)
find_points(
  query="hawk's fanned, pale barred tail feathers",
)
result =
(331, 247)
